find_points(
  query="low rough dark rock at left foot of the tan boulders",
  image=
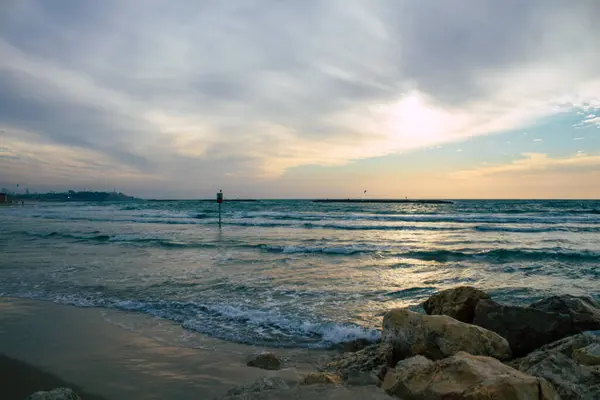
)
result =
(371, 358)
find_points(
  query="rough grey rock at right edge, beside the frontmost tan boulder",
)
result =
(556, 363)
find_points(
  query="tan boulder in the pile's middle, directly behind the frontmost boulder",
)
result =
(438, 336)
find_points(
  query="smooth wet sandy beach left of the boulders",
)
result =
(101, 355)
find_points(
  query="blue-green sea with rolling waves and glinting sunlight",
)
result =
(294, 273)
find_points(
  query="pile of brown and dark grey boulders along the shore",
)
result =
(466, 346)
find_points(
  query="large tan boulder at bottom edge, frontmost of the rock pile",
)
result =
(464, 376)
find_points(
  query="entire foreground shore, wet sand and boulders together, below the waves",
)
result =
(465, 344)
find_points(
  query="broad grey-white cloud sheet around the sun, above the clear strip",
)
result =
(211, 91)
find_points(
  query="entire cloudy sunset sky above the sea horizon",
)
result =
(299, 99)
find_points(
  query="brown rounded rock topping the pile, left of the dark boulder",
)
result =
(458, 303)
